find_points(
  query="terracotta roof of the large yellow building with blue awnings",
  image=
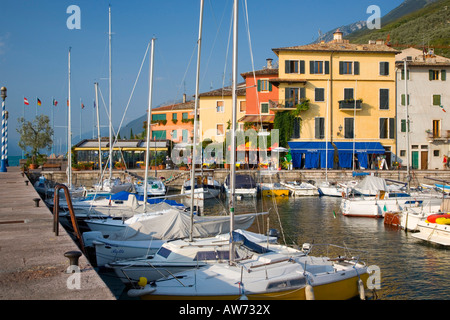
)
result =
(340, 47)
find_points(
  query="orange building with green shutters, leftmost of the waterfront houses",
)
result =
(174, 122)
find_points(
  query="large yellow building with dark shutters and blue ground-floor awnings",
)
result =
(352, 104)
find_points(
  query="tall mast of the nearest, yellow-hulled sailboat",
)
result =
(233, 128)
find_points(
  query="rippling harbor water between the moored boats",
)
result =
(409, 268)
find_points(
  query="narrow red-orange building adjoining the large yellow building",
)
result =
(260, 93)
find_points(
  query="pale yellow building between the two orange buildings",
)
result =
(215, 112)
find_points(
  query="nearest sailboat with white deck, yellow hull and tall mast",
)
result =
(254, 271)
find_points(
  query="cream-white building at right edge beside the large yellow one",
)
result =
(427, 105)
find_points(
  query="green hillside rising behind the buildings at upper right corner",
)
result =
(429, 26)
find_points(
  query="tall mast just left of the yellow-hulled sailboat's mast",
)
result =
(194, 143)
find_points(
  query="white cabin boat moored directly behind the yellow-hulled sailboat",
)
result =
(180, 255)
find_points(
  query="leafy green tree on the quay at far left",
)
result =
(35, 135)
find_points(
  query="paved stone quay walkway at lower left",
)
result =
(32, 263)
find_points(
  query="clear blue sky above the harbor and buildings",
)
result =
(34, 44)
